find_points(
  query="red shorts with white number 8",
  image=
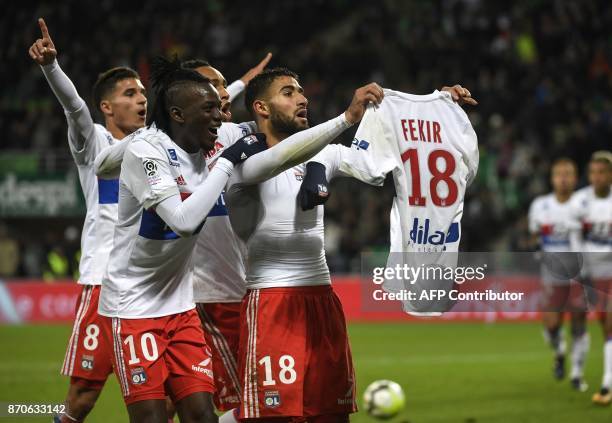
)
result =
(89, 358)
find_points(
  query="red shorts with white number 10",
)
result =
(160, 356)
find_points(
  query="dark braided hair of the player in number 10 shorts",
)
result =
(169, 78)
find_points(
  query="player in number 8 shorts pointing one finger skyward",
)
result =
(119, 96)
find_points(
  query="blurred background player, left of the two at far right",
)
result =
(552, 223)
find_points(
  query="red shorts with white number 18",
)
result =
(294, 357)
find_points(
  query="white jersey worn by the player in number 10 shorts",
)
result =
(150, 270)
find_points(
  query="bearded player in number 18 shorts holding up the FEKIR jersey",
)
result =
(293, 336)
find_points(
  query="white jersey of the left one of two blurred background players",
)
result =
(553, 222)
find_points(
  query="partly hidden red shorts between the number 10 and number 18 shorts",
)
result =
(221, 323)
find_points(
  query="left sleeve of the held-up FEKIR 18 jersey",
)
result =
(369, 158)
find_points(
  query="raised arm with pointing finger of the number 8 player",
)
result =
(44, 53)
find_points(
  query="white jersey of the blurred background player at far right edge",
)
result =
(595, 215)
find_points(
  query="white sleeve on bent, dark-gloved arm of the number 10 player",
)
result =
(184, 217)
